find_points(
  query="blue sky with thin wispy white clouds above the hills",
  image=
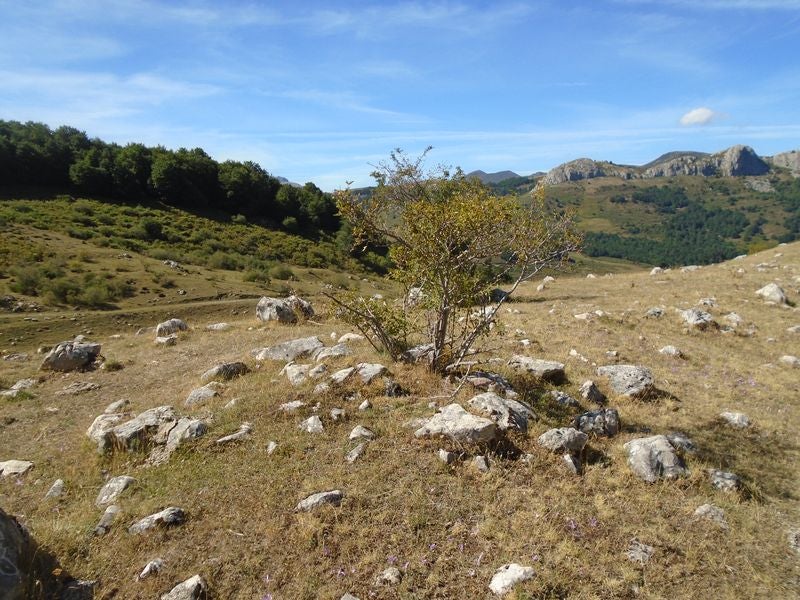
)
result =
(319, 91)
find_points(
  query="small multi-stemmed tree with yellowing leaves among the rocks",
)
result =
(452, 242)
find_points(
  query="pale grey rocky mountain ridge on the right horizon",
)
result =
(736, 161)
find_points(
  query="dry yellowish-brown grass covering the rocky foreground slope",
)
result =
(446, 528)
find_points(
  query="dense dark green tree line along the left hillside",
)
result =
(32, 154)
